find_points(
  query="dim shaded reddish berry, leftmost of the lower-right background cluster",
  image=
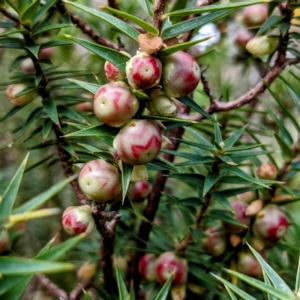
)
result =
(215, 244)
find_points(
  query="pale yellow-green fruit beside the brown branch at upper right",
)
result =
(262, 45)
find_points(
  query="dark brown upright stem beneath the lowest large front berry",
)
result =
(107, 239)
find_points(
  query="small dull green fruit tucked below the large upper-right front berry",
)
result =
(162, 106)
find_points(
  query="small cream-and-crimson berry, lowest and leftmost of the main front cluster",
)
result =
(78, 219)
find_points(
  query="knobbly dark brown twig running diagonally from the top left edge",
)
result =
(87, 29)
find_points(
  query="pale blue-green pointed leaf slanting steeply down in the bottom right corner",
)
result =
(273, 276)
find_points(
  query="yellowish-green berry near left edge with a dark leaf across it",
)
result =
(15, 89)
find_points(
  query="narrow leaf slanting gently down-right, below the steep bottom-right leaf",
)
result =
(261, 285)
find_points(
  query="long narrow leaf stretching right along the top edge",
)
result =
(214, 7)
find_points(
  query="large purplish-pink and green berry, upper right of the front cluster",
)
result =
(180, 75)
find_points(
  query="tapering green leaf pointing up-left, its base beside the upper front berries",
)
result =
(115, 57)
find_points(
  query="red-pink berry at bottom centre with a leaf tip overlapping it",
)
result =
(166, 264)
